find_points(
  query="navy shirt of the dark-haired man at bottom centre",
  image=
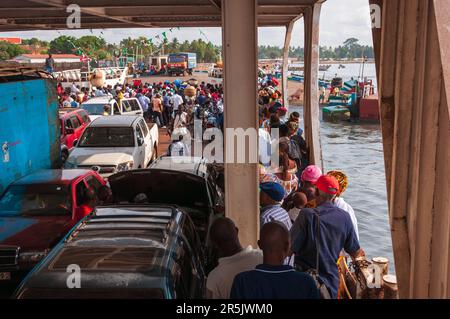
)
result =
(273, 282)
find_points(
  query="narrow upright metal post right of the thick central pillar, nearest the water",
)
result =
(311, 95)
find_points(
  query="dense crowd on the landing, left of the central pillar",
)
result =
(174, 105)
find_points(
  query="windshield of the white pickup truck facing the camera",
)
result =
(107, 137)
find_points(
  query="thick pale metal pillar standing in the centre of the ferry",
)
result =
(240, 41)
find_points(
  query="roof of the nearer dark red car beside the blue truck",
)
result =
(61, 176)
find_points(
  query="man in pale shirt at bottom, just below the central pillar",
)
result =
(234, 258)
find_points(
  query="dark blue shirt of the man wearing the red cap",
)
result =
(336, 233)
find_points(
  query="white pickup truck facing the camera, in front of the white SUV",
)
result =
(112, 144)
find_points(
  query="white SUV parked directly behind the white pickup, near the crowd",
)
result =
(95, 106)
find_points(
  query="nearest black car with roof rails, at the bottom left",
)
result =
(126, 252)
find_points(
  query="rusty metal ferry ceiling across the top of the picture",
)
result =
(41, 15)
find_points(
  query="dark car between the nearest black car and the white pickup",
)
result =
(186, 182)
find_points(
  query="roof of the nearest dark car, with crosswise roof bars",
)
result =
(116, 247)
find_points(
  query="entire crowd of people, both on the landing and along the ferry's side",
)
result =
(306, 224)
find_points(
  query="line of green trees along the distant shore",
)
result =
(98, 49)
